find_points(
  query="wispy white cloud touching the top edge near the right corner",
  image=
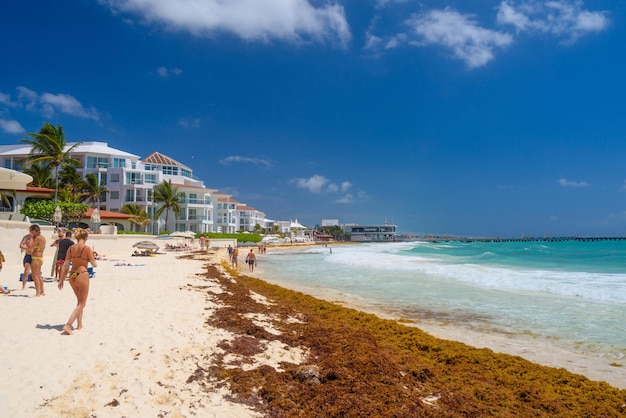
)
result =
(561, 18)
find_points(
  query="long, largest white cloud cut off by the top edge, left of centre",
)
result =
(288, 20)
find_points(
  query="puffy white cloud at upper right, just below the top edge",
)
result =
(460, 33)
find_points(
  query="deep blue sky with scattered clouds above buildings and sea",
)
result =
(488, 117)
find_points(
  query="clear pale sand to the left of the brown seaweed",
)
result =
(143, 336)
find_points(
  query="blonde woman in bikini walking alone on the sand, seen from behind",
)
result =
(79, 256)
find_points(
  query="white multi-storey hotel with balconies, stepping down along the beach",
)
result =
(131, 180)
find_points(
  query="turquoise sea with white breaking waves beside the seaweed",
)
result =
(569, 293)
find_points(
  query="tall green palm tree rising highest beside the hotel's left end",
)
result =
(48, 147)
